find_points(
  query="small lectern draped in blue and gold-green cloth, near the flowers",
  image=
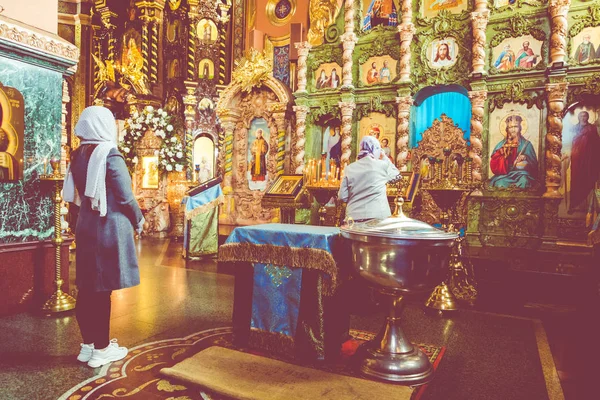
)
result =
(201, 222)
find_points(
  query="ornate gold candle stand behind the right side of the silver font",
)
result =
(447, 188)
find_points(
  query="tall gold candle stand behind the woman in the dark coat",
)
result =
(59, 301)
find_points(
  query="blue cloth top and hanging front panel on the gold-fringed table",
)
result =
(276, 289)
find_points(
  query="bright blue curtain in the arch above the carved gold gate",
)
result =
(455, 105)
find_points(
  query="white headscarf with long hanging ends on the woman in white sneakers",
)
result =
(96, 125)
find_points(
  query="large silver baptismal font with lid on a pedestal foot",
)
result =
(399, 257)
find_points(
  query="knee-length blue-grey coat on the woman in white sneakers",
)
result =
(106, 254)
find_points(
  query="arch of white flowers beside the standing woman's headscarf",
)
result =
(171, 153)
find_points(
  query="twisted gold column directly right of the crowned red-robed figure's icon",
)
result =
(556, 93)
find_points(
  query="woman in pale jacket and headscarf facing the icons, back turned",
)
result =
(364, 183)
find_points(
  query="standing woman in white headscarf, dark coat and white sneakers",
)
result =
(99, 183)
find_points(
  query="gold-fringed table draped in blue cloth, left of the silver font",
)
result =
(286, 298)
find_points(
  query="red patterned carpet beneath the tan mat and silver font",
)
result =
(137, 376)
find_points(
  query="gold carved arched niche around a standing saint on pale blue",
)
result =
(242, 113)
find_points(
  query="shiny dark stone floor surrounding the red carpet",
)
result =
(488, 355)
